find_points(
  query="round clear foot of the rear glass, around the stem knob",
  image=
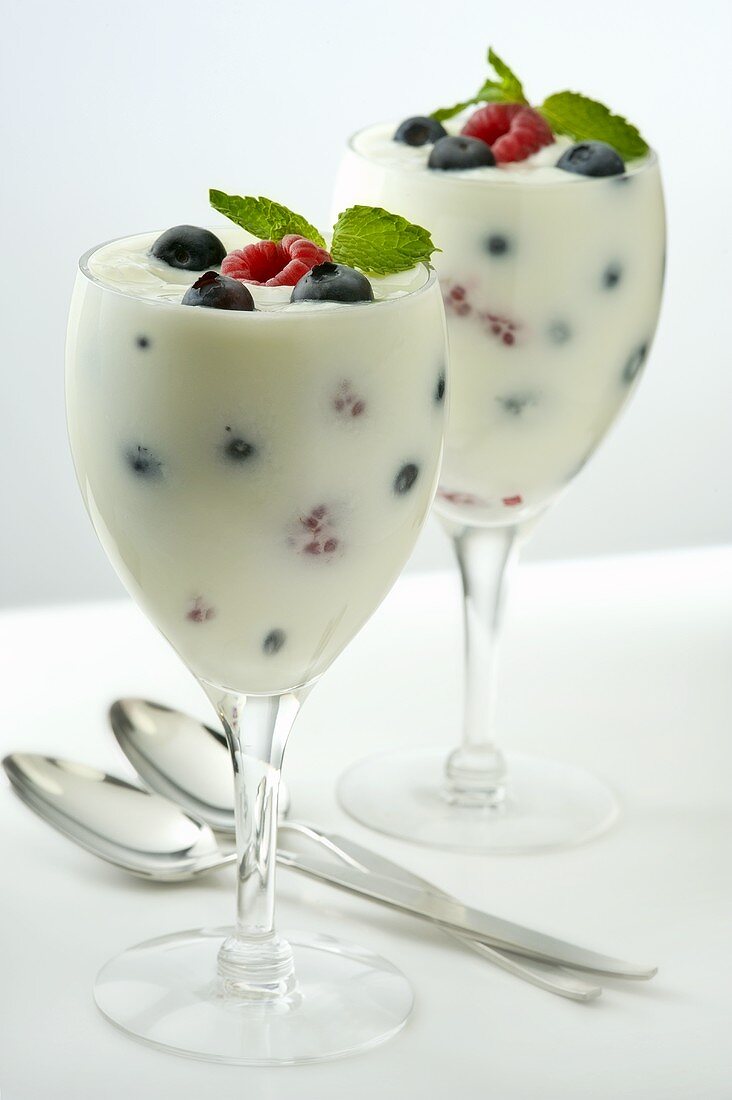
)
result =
(548, 806)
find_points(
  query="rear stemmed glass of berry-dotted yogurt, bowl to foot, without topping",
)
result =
(553, 289)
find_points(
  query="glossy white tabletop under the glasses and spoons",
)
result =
(621, 665)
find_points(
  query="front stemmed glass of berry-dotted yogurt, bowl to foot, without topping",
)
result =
(258, 480)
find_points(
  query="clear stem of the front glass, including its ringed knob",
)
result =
(255, 964)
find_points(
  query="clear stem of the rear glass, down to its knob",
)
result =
(476, 773)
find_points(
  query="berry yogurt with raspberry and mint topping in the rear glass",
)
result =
(552, 269)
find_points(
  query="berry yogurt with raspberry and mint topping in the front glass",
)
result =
(259, 469)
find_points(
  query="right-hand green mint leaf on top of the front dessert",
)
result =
(379, 243)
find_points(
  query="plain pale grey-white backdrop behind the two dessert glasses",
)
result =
(118, 117)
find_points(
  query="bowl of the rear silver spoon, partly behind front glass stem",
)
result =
(182, 760)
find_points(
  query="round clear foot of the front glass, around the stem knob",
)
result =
(167, 994)
